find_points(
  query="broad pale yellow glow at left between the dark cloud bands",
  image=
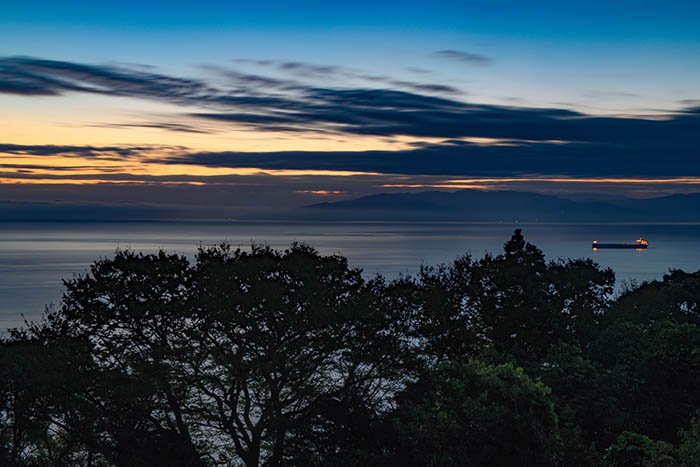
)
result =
(75, 122)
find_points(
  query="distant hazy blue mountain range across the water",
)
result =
(507, 206)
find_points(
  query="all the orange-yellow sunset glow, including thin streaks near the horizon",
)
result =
(77, 121)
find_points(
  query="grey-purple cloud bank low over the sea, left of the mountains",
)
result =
(225, 196)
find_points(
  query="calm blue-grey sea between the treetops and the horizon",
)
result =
(35, 257)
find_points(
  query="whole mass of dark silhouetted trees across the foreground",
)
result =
(274, 358)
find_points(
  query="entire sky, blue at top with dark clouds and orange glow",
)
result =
(213, 109)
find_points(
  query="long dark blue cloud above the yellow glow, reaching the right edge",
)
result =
(390, 113)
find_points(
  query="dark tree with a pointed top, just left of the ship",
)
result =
(516, 304)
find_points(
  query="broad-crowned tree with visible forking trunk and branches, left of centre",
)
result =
(284, 334)
